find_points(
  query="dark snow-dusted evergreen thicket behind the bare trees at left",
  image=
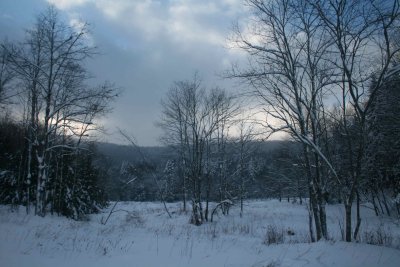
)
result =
(75, 186)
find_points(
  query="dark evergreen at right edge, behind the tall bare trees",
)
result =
(382, 164)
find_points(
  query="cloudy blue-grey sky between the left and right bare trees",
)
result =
(145, 45)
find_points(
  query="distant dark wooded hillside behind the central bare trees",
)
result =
(271, 174)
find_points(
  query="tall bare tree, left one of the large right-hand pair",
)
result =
(286, 47)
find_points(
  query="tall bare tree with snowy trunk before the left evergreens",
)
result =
(59, 103)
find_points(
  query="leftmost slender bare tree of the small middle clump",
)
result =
(184, 115)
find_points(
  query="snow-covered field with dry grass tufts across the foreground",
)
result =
(141, 234)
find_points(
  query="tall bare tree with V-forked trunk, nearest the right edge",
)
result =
(362, 33)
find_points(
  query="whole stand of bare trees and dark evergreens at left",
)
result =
(49, 111)
